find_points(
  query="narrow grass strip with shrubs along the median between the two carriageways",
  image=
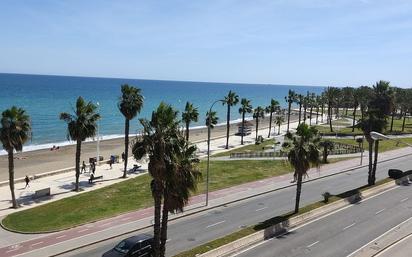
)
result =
(270, 222)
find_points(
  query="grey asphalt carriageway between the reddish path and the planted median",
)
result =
(194, 230)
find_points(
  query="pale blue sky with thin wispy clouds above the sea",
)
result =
(299, 42)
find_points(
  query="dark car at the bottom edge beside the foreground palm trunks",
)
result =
(134, 246)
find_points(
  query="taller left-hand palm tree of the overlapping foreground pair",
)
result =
(157, 141)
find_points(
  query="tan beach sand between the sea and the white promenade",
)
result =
(41, 161)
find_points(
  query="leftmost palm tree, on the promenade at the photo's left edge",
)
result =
(14, 132)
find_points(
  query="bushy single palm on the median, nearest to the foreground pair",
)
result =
(302, 150)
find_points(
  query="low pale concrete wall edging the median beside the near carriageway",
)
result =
(283, 227)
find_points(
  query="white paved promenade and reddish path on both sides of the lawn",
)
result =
(62, 184)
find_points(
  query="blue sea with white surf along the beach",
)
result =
(44, 97)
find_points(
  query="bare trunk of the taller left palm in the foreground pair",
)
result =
(157, 197)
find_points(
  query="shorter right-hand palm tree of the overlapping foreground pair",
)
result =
(182, 177)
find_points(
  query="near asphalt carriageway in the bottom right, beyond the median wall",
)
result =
(344, 232)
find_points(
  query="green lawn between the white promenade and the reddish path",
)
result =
(130, 195)
